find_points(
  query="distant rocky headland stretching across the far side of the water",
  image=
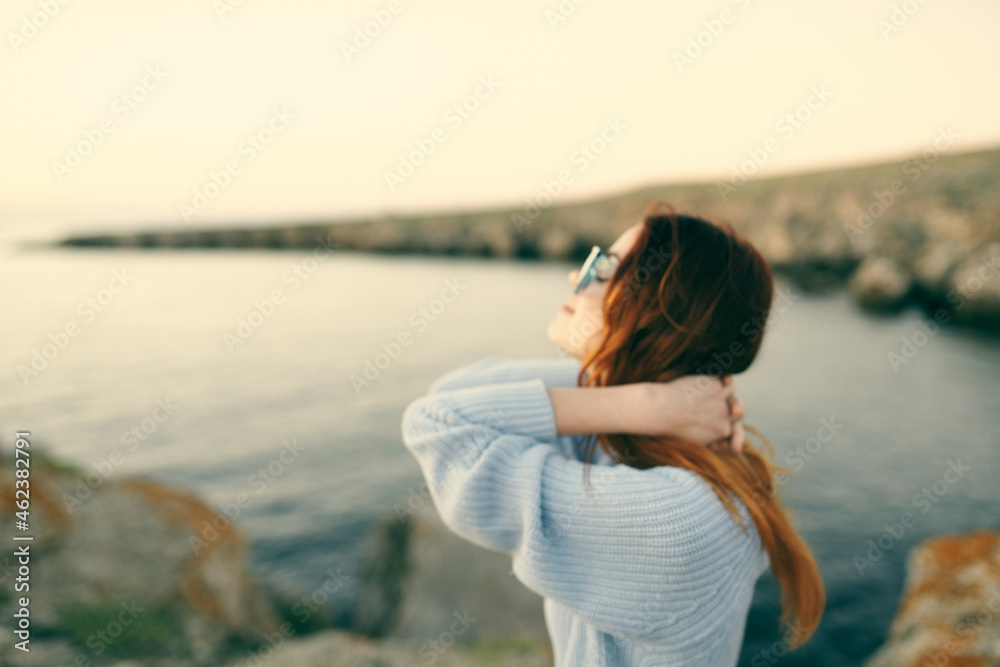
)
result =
(923, 231)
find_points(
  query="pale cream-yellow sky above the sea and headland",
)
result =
(202, 113)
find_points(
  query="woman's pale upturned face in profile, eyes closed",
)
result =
(577, 332)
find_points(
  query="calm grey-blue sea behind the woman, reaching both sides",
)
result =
(158, 329)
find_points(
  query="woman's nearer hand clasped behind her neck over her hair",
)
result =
(700, 408)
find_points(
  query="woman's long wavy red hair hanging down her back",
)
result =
(693, 297)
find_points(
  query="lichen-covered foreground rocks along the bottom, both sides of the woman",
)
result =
(131, 573)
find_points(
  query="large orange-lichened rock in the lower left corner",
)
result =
(107, 548)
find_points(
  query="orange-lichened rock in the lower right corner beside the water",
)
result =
(950, 612)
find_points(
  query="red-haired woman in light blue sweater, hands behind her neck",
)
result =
(655, 563)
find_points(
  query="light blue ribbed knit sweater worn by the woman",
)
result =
(649, 568)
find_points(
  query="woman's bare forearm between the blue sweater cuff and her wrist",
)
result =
(584, 410)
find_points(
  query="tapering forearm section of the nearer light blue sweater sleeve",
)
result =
(511, 407)
